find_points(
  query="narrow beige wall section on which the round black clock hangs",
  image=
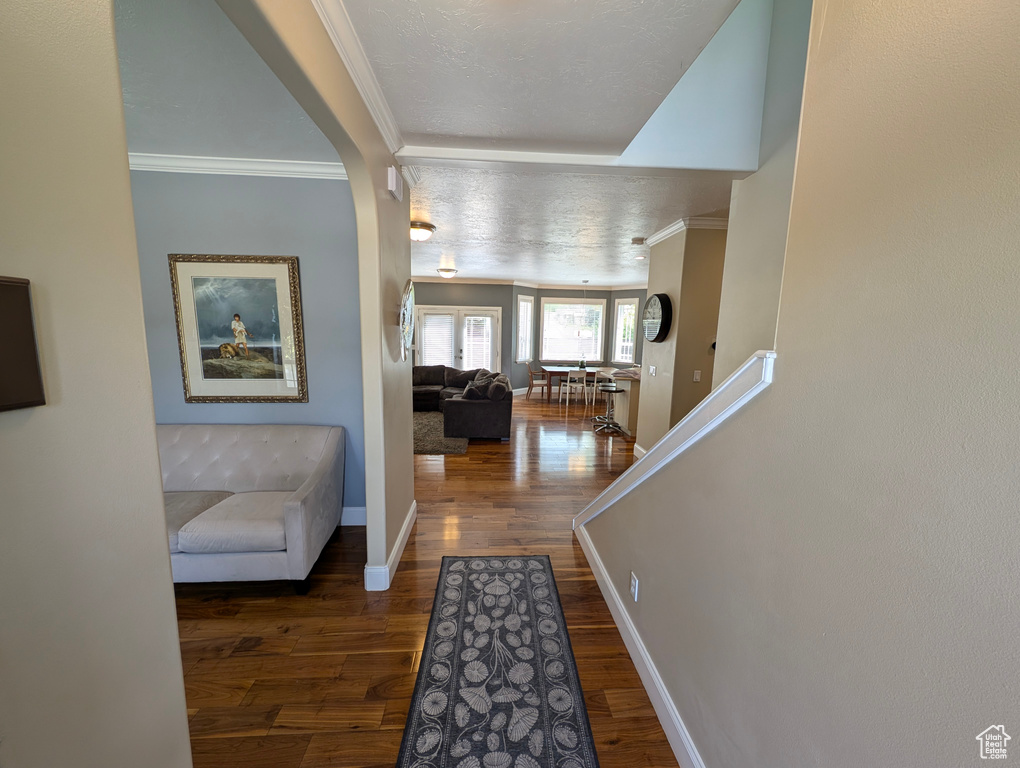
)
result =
(666, 274)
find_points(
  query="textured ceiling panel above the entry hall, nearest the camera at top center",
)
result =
(555, 76)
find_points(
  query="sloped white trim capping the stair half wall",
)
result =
(747, 382)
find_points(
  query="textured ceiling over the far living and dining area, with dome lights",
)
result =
(553, 229)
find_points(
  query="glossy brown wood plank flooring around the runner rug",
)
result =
(283, 681)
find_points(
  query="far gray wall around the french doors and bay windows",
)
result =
(485, 295)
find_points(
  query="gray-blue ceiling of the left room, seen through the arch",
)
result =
(194, 86)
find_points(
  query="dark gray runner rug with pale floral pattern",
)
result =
(498, 685)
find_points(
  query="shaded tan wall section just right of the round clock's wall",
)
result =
(698, 318)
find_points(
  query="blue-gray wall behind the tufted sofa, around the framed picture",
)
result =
(313, 220)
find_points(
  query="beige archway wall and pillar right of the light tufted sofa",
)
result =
(291, 38)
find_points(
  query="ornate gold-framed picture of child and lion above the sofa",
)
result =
(239, 329)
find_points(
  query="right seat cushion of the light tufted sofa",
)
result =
(244, 523)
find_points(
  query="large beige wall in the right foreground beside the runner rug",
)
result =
(830, 578)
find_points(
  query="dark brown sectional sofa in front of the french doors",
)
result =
(475, 403)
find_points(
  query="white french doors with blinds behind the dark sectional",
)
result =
(463, 338)
